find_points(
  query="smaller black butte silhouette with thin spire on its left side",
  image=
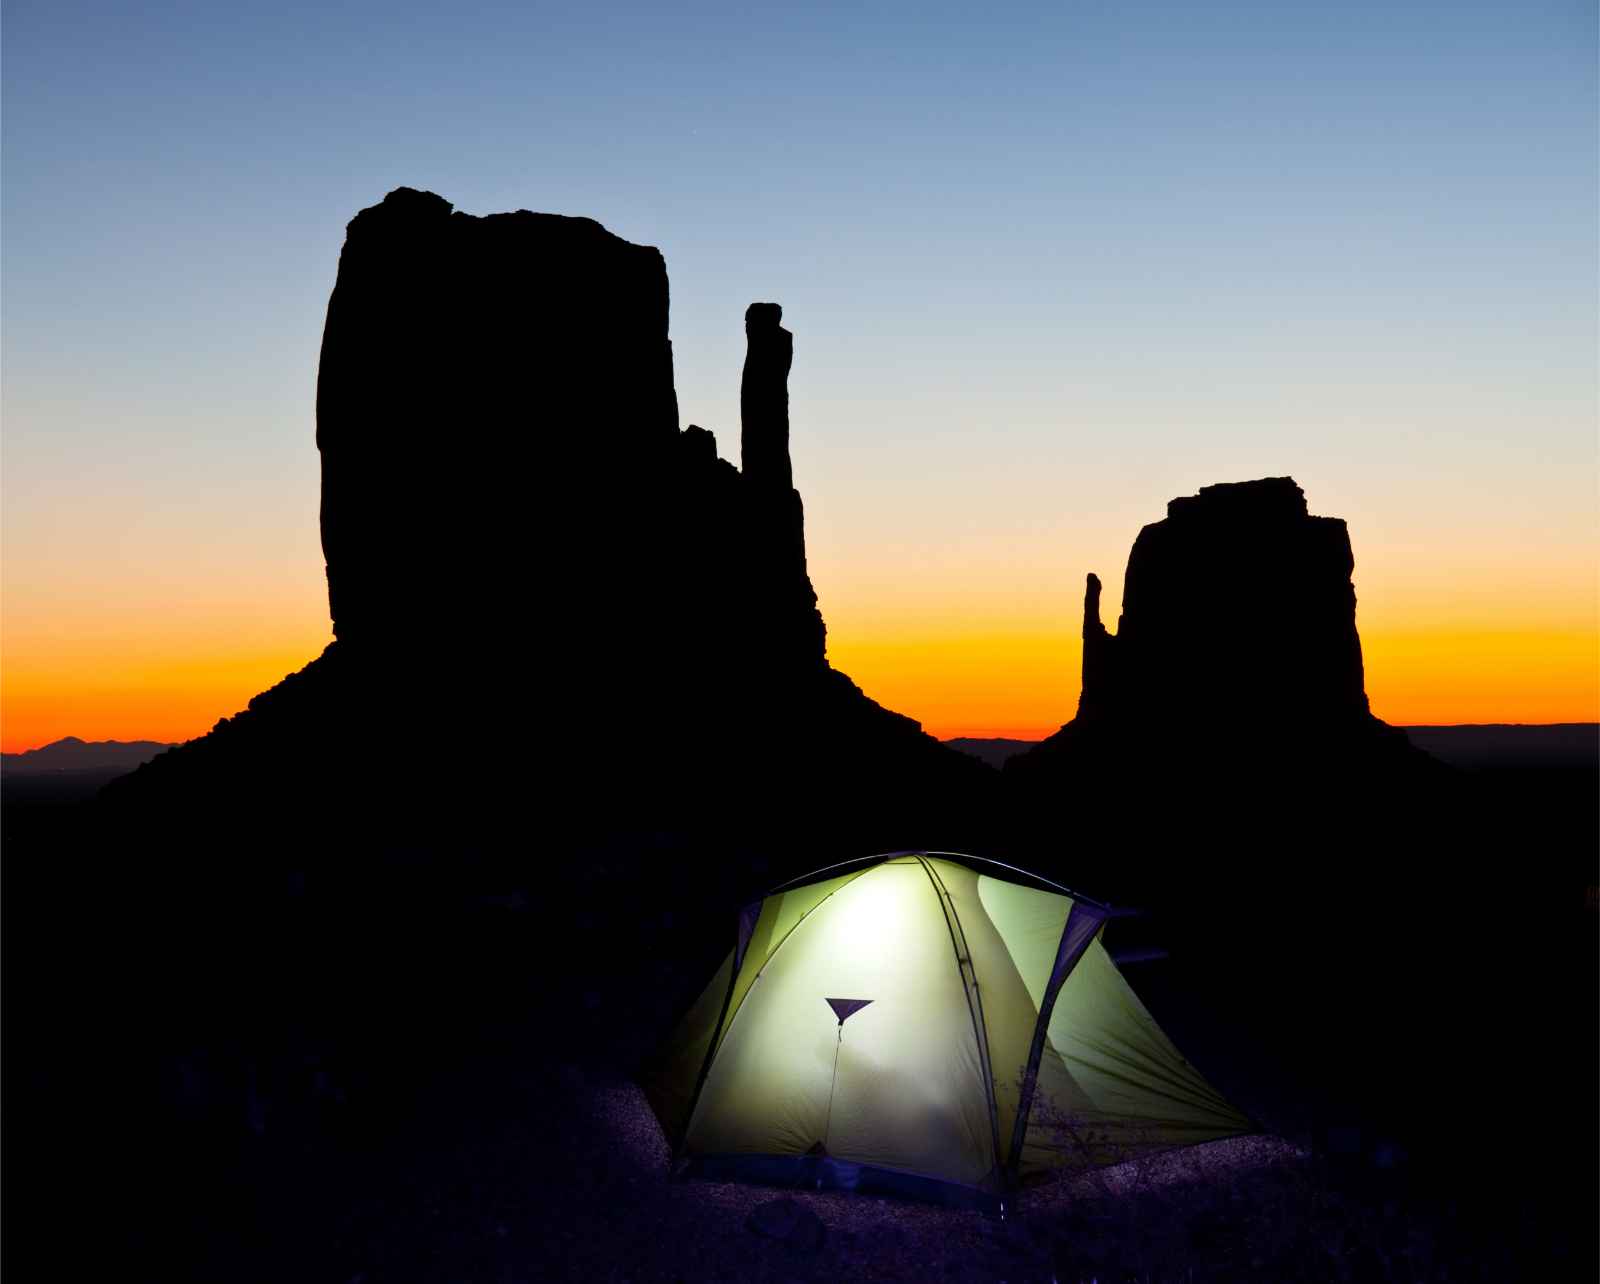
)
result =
(1236, 657)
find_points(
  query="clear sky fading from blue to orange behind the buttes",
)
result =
(1047, 267)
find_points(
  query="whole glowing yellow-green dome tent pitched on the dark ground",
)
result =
(916, 1025)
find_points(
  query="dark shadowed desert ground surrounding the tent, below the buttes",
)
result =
(258, 1067)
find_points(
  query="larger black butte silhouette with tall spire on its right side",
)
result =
(543, 592)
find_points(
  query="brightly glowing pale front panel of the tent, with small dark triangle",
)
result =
(882, 936)
